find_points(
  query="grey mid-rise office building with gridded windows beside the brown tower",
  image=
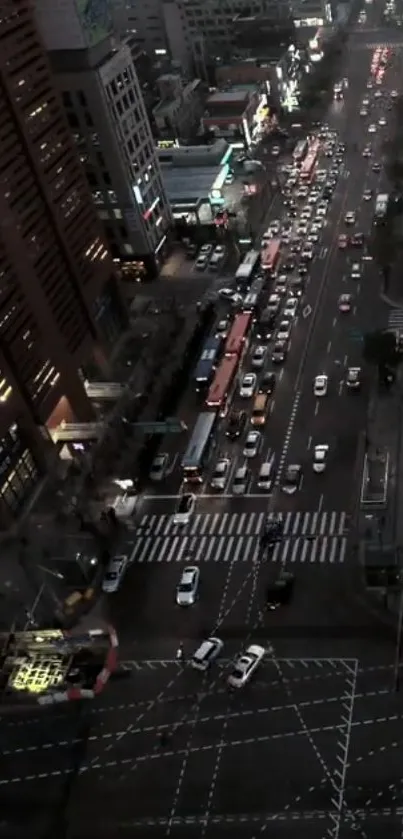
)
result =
(104, 104)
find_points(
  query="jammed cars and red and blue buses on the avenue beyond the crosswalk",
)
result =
(244, 358)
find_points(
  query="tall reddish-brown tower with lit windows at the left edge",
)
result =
(60, 309)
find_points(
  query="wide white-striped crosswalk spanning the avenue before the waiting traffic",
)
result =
(234, 537)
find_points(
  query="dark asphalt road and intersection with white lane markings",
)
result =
(313, 745)
